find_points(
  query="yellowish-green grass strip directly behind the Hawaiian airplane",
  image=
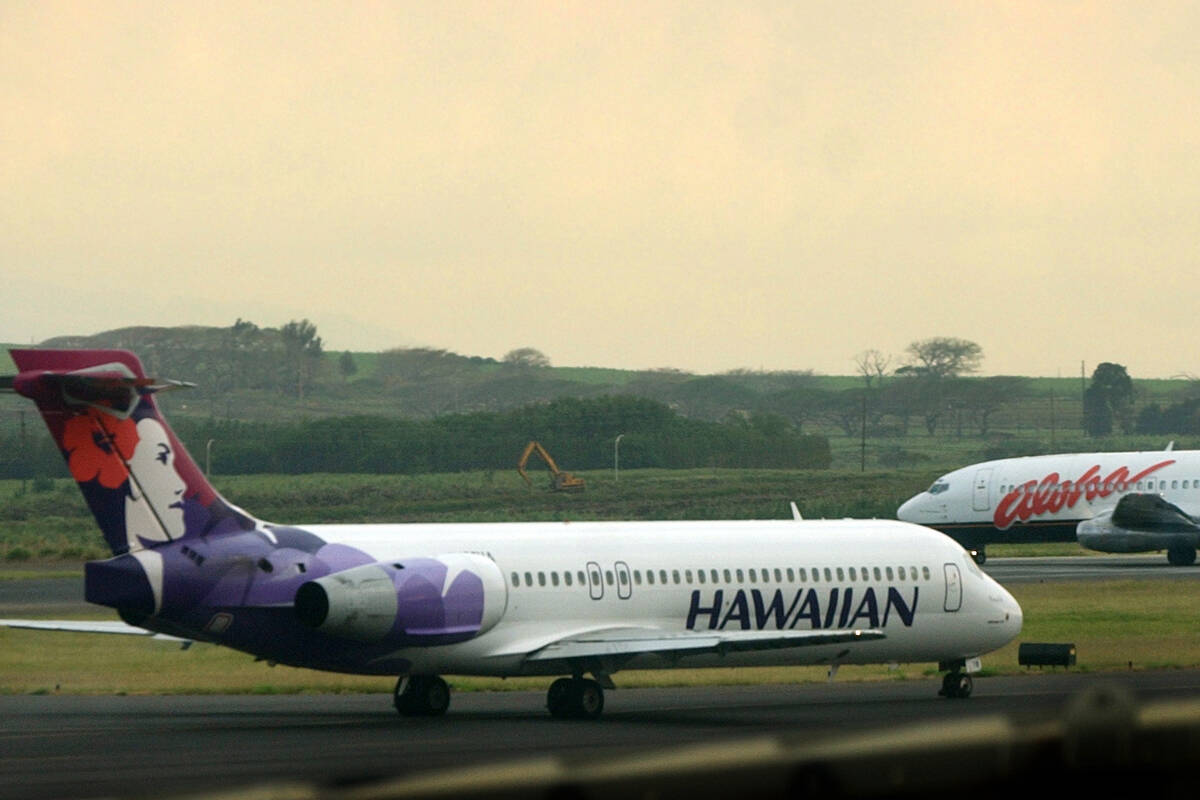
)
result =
(1115, 627)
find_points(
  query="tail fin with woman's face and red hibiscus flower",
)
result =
(137, 478)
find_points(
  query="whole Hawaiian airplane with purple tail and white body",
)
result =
(511, 599)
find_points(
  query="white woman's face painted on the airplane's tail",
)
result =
(154, 510)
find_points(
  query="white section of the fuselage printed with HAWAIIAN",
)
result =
(569, 580)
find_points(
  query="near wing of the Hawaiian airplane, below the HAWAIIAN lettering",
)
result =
(634, 642)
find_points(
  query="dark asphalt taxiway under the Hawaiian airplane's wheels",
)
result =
(176, 747)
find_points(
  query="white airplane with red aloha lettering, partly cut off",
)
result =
(1111, 502)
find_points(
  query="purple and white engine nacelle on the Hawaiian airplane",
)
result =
(418, 601)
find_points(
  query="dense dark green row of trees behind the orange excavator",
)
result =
(579, 434)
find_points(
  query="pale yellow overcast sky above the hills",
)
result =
(697, 185)
